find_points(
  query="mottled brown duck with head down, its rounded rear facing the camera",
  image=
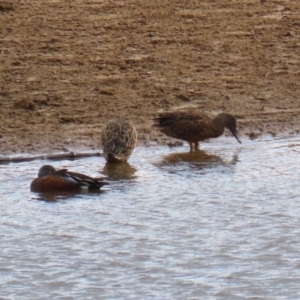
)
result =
(119, 139)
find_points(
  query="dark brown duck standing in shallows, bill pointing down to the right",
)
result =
(193, 127)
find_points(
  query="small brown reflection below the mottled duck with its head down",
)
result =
(117, 171)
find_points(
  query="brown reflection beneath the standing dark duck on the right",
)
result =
(198, 159)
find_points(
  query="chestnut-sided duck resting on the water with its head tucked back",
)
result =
(50, 179)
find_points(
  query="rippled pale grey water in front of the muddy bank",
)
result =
(220, 224)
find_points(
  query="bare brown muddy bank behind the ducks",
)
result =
(67, 67)
